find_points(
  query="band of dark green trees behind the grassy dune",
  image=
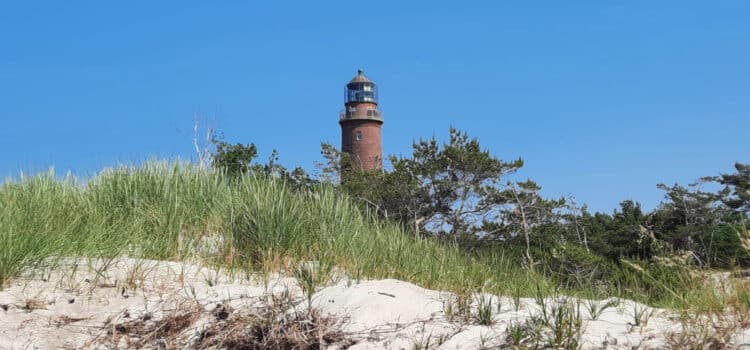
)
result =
(460, 193)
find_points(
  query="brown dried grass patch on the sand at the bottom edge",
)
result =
(275, 324)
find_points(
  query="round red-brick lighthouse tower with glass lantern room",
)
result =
(361, 123)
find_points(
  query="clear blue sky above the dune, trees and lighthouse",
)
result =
(602, 99)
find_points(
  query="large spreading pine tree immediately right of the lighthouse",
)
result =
(441, 189)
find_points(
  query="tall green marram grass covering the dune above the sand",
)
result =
(160, 210)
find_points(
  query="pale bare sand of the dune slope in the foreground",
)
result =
(78, 303)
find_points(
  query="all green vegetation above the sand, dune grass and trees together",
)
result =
(271, 217)
